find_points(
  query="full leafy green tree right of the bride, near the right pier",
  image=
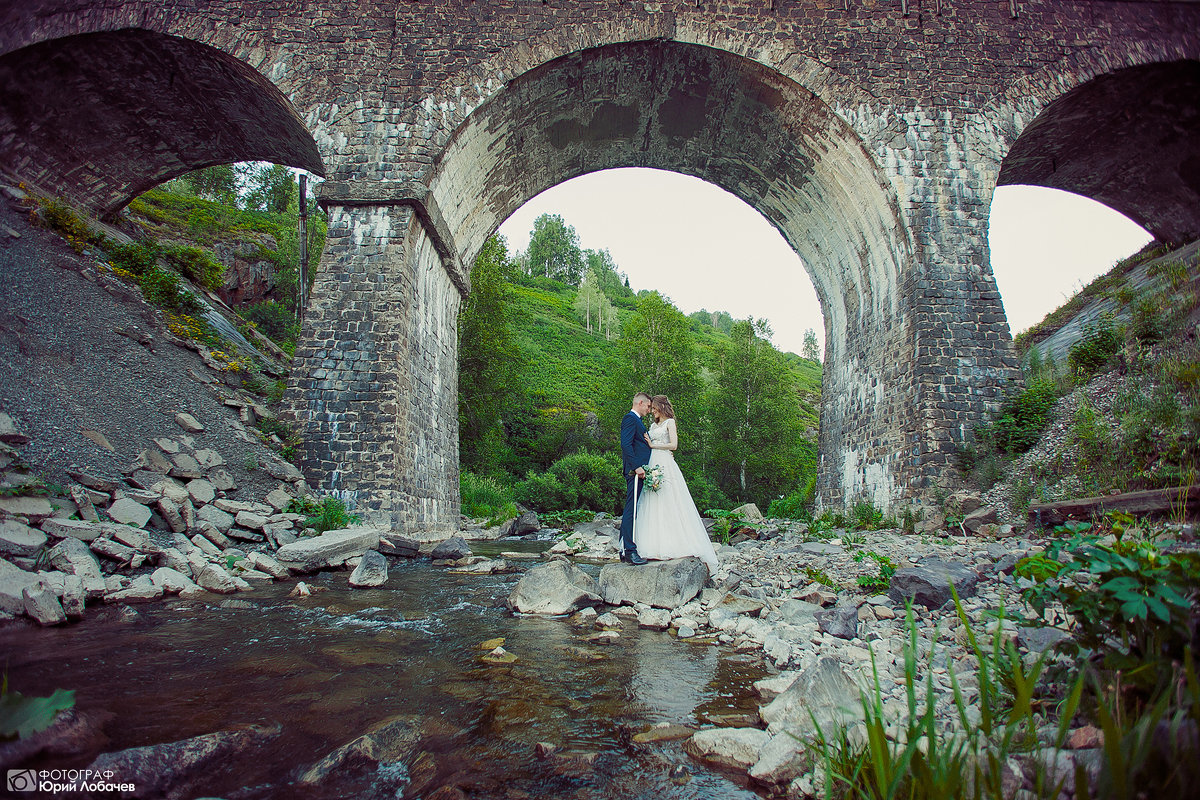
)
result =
(757, 438)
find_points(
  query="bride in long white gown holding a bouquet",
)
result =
(669, 527)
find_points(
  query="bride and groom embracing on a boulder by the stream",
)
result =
(664, 524)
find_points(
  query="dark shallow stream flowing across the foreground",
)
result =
(328, 669)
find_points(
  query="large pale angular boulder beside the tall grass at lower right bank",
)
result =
(823, 694)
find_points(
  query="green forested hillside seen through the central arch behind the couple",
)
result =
(554, 345)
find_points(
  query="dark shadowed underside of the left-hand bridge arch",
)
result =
(99, 118)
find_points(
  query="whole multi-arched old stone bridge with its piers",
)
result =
(872, 134)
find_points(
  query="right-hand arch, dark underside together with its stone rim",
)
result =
(1118, 127)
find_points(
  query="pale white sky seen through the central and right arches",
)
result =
(706, 249)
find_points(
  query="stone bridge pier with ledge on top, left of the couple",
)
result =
(376, 389)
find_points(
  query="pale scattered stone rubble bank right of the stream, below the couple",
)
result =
(795, 599)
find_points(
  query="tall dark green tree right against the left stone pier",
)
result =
(488, 359)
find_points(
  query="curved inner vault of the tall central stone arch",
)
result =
(755, 133)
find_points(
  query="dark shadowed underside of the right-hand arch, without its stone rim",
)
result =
(1127, 140)
